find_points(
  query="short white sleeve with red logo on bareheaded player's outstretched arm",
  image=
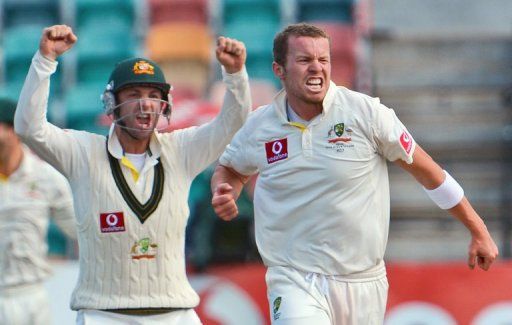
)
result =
(393, 141)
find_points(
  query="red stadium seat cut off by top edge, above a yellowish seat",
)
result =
(162, 11)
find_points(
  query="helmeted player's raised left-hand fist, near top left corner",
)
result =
(56, 40)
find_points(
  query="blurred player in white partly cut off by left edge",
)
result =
(31, 192)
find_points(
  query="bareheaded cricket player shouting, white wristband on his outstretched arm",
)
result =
(322, 197)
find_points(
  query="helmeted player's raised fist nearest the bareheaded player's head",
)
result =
(231, 54)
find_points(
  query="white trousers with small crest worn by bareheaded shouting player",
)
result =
(300, 298)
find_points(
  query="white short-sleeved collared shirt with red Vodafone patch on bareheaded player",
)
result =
(322, 195)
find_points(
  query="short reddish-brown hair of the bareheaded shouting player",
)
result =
(302, 29)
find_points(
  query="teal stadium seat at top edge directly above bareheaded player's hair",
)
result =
(325, 10)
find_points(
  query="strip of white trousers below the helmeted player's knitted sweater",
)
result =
(99, 317)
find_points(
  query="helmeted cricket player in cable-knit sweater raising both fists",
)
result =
(130, 188)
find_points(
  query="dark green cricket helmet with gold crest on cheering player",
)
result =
(134, 72)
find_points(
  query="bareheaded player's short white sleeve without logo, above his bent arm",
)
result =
(237, 154)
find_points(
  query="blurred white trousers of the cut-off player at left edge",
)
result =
(25, 305)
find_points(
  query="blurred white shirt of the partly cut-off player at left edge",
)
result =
(29, 197)
